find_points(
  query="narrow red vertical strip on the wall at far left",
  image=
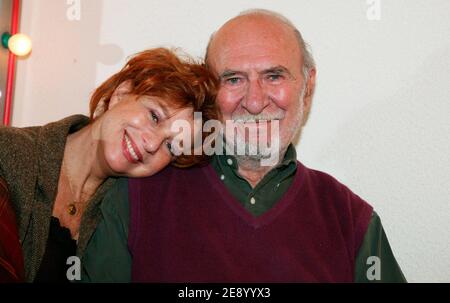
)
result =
(11, 66)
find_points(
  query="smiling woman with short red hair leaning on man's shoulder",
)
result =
(58, 174)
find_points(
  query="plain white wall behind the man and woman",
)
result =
(380, 120)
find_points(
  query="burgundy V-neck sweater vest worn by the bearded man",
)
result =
(187, 227)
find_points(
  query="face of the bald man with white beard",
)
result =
(259, 65)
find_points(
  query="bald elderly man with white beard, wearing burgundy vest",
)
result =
(237, 220)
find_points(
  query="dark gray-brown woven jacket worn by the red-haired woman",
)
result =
(30, 162)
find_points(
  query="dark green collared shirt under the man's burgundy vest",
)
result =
(109, 243)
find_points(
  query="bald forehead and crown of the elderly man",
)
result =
(252, 44)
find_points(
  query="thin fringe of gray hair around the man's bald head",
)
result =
(308, 60)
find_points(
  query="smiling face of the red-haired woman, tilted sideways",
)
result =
(135, 135)
